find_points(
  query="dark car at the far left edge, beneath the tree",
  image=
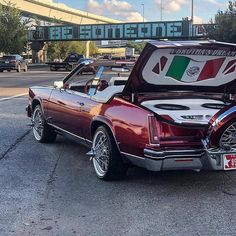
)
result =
(13, 62)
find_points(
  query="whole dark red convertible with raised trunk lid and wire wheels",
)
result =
(175, 111)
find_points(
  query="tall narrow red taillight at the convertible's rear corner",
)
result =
(153, 129)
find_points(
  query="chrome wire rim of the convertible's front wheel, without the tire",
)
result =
(38, 123)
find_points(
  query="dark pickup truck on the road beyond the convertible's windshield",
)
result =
(68, 64)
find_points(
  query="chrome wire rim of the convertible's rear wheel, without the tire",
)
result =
(101, 153)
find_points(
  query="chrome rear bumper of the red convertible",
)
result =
(181, 159)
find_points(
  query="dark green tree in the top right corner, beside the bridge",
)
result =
(225, 21)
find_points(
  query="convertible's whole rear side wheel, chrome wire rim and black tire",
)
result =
(107, 161)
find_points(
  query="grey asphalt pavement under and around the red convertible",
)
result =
(51, 189)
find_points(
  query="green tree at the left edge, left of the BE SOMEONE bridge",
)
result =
(13, 29)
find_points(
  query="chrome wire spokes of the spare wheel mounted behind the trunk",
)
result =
(228, 138)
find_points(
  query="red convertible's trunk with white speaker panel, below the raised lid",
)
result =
(181, 119)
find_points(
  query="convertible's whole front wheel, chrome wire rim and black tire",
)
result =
(42, 132)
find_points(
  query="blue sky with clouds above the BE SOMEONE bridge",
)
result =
(132, 10)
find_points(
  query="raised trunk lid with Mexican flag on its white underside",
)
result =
(204, 66)
